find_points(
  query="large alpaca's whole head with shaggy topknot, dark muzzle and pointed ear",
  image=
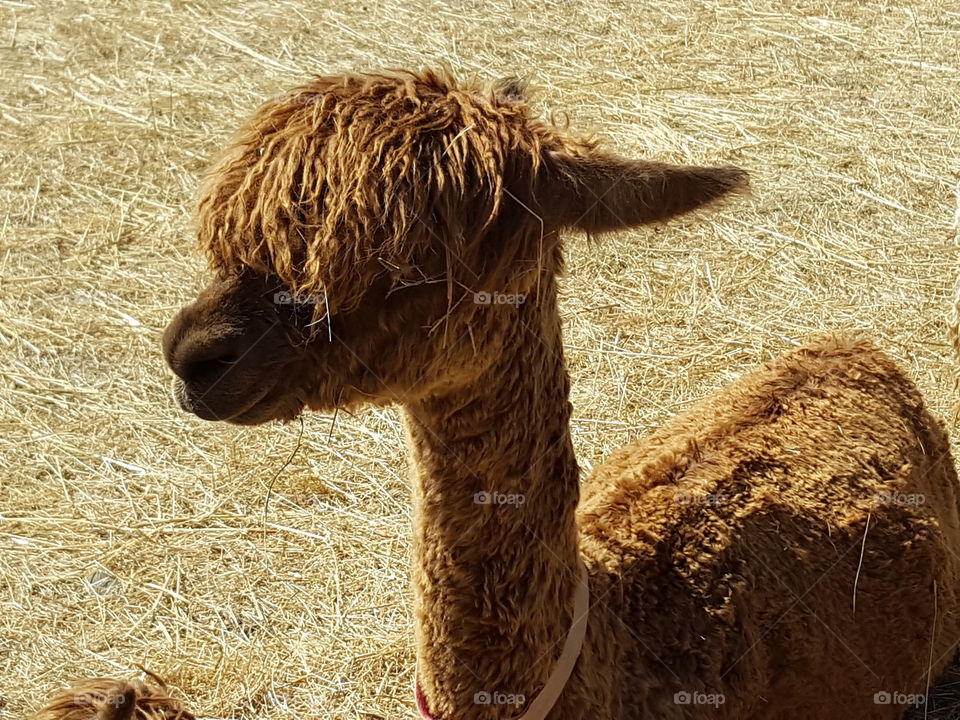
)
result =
(371, 236)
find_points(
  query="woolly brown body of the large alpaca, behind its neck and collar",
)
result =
(790, 545)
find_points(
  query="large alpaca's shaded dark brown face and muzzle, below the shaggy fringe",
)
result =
(248, 351)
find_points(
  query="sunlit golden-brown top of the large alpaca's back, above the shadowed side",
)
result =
(820, 431)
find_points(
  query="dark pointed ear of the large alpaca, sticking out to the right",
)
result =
(597, 192)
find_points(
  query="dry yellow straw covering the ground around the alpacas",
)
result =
(132, 533)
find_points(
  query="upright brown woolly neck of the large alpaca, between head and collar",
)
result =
(496, 563)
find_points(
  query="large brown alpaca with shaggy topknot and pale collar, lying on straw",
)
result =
(789, 548)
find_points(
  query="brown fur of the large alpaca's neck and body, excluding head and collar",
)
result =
(724, 550)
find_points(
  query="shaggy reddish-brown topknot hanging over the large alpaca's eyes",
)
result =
(350, 178)
